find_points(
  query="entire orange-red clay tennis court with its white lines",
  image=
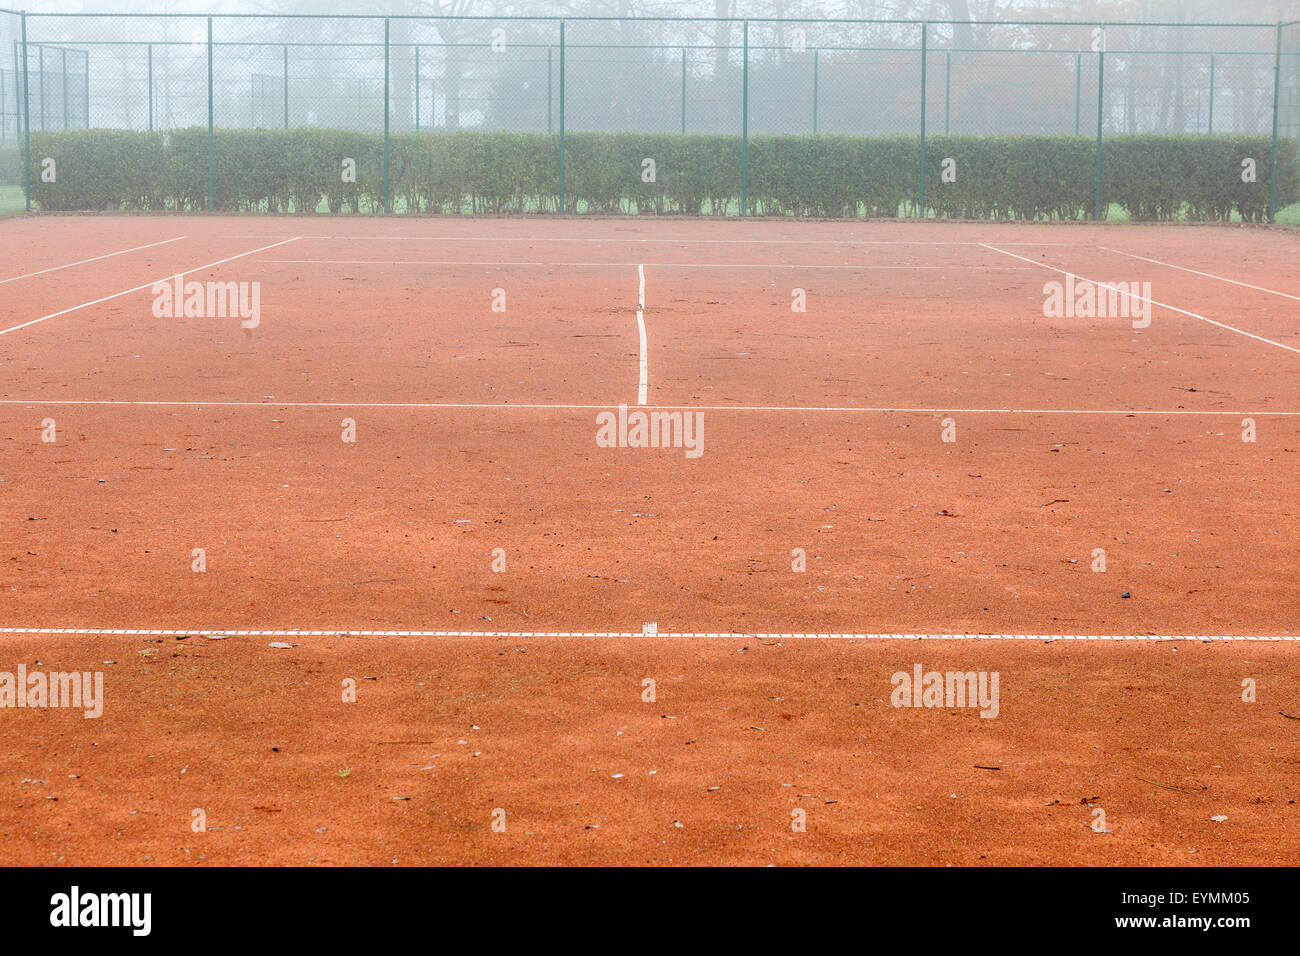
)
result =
(517, 680)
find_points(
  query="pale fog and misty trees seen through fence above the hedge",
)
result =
(989, 77)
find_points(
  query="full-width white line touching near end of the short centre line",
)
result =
(561, 406)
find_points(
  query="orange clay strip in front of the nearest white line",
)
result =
(742, 734)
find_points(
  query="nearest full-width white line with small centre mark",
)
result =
(731, 635)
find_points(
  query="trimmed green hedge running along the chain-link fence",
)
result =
(833, 176)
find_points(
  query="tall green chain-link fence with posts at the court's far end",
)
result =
(740, 77)
